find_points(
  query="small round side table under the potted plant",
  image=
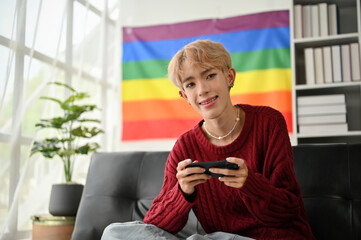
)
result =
(52, 227)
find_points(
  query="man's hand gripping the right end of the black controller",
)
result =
(237, 177)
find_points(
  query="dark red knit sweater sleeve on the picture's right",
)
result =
(273, 196)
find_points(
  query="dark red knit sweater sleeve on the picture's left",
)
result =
(170, 209)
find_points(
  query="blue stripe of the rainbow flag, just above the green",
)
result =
(241, 41)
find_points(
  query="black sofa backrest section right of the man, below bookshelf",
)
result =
(330, 181)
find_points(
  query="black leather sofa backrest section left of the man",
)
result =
(120, 187)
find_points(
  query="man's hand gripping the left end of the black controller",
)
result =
(189, 178)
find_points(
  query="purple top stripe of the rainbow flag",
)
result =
(202, 27)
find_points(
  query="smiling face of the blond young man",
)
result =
(206, 88)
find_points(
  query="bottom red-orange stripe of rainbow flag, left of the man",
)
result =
(154, 129)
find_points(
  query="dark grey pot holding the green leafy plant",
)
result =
(65, 199)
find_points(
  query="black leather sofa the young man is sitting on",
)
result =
(120, 187)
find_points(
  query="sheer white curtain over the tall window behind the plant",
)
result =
(37, 53)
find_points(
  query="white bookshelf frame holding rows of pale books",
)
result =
(350, 26)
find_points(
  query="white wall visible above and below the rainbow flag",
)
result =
(154, 12)
